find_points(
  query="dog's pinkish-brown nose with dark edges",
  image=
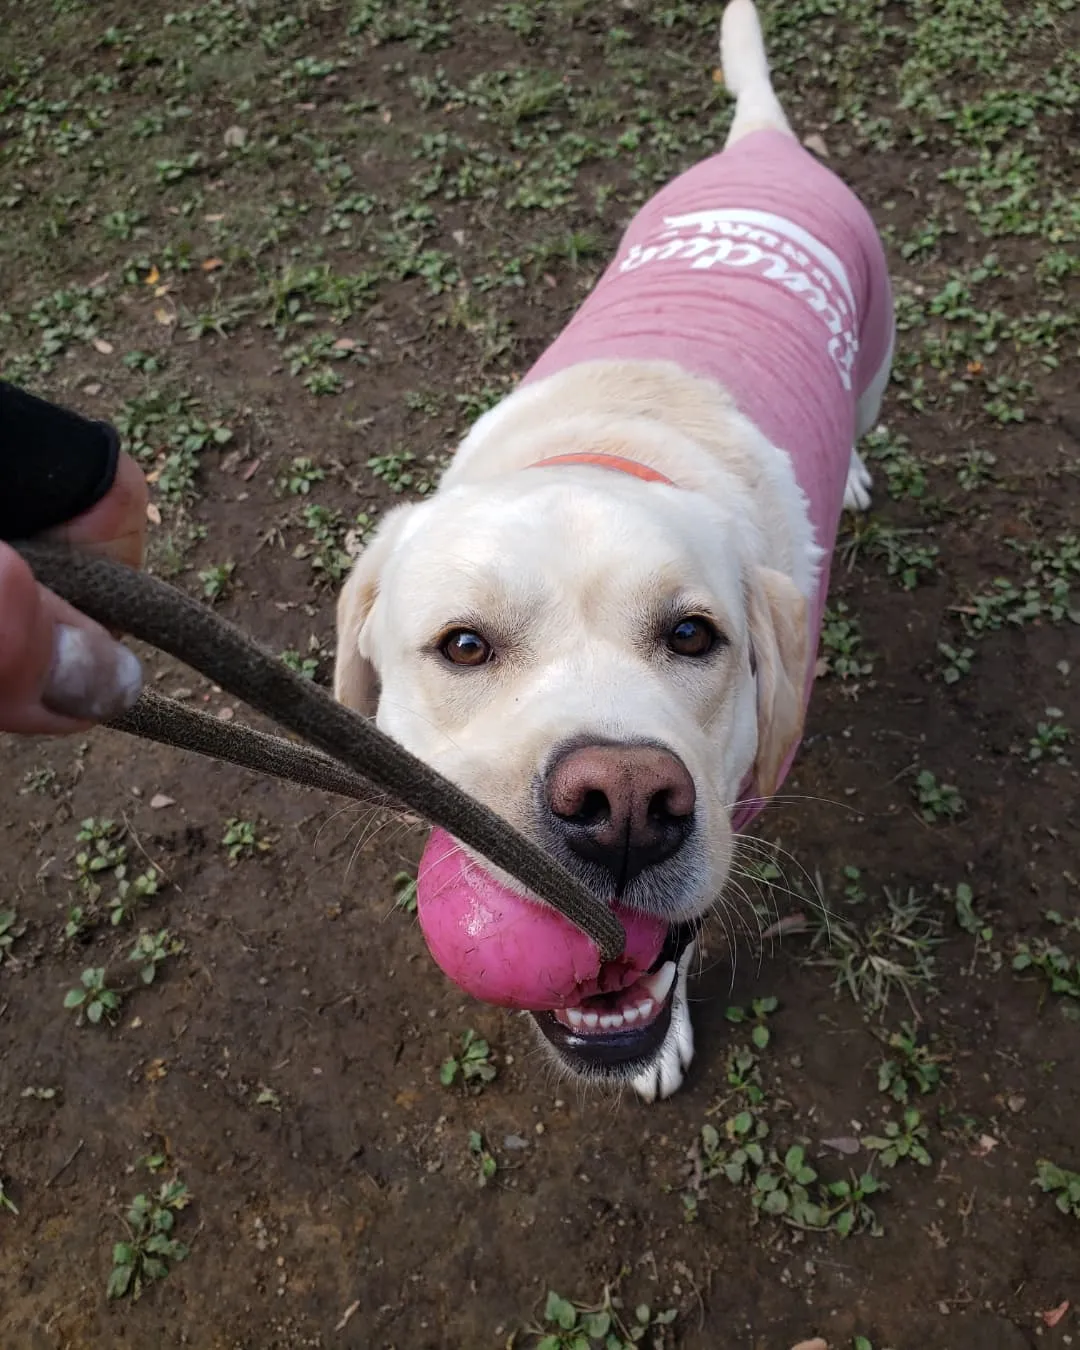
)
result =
(624, 808)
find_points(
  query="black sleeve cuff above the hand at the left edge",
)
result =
(55, 464)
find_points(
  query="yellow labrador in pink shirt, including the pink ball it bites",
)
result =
(604, 624)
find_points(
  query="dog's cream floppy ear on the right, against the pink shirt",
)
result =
(781, 646)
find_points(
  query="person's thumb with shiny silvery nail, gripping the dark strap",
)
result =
(60, 672)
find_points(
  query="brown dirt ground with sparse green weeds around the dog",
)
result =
(292, 250)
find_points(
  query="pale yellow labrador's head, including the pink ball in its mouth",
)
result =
(600, 661)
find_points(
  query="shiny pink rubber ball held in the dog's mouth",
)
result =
(503, 948)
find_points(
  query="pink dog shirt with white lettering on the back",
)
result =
(762, 271)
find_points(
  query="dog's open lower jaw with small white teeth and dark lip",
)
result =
(616, 1037)
